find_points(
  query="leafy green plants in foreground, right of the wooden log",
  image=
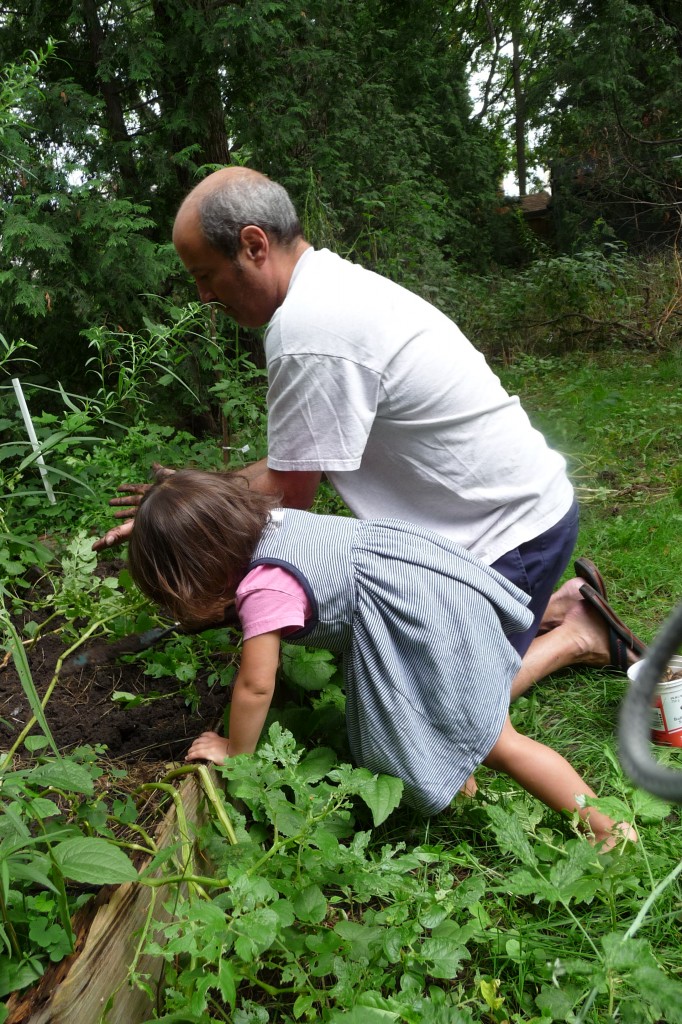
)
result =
(310, 915)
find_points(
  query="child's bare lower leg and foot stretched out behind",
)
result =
(549, 778)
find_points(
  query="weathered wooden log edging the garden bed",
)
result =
(78, 990)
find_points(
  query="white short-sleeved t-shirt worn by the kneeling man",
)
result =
(378, 390)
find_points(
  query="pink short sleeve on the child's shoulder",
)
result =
(272, 599)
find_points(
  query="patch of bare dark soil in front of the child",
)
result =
(81, 711)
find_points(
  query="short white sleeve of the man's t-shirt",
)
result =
(321, 411)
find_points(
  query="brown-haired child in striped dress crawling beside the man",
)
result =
(421, 625)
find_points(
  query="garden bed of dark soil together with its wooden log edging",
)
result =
(135, 744)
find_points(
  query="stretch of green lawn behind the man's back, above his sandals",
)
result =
(618, 419)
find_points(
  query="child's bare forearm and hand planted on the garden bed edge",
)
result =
(251, 701)
